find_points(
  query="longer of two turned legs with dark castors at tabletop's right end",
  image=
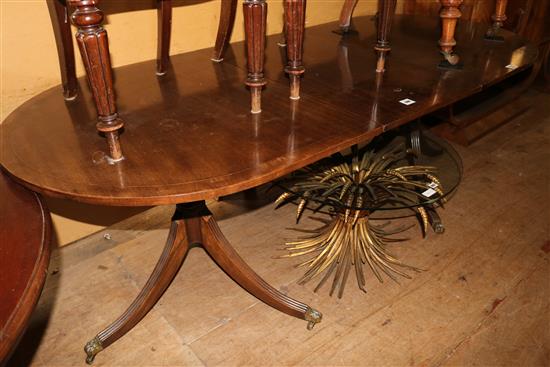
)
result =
(449, 17)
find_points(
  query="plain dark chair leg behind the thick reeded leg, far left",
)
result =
(59, 16)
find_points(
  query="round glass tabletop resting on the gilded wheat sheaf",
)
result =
(402, 168)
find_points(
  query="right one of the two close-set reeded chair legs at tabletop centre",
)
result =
(295, 19)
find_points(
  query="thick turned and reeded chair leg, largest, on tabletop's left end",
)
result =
(94, 48)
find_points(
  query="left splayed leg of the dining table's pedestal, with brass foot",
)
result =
(177, 246)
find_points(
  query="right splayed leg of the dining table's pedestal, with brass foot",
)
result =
(229, 260)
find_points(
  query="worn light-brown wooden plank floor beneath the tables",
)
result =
(483, 300)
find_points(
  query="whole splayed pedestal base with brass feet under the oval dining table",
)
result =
(193, 224)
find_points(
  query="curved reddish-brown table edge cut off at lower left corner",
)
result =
(25, 233)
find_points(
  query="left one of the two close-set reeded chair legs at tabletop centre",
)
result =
(255, 12)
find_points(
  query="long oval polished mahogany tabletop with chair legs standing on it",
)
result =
(189, 136)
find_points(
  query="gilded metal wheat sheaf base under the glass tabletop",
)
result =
(352, 190)
